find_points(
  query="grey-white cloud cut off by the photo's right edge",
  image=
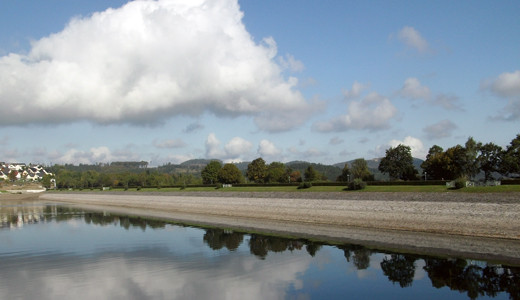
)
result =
(507, 85)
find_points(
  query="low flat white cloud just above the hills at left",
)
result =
(92, 156)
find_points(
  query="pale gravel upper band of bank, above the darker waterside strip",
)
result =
(478, 215)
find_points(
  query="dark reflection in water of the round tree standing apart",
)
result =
(399, 269)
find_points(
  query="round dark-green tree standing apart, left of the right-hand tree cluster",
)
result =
(398, 163)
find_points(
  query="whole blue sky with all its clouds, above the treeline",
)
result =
(322, 81)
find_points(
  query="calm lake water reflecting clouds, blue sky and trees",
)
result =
(58, 252)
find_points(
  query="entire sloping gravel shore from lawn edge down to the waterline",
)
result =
(224, 212)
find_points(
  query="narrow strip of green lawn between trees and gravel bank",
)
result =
(418, 189)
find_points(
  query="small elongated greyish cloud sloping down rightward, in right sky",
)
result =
(413, 90)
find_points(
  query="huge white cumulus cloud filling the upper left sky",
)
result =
(148, 61)
